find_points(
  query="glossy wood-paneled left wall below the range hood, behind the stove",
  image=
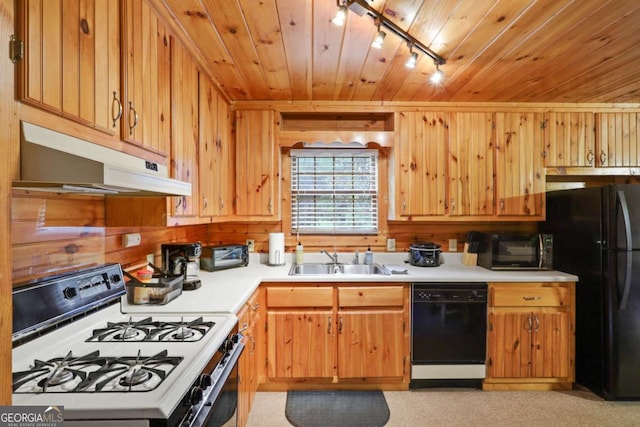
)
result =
(53, 233)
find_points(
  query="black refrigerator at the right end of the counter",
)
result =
(597, 237)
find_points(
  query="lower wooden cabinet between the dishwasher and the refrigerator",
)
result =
(531, 336)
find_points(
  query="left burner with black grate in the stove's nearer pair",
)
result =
(60, 374)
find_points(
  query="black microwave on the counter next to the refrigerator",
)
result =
(515, 251)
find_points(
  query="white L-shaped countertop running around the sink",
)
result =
(225, 291)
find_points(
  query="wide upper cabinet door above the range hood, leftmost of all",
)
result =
(72, 60)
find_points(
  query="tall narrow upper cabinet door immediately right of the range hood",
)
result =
(184, 129)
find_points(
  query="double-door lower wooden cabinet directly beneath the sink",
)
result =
(336, 334)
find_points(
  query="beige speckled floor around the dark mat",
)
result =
(468, 407)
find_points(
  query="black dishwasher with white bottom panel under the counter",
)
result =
(448, 334)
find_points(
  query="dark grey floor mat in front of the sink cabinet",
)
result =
(337, 408)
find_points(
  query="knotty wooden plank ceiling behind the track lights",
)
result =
(495, 50)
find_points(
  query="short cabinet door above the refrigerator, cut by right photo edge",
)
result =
(618, 139)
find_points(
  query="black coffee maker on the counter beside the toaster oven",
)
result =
(183, 258)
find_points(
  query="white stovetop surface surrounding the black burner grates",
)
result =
(158, 403)
